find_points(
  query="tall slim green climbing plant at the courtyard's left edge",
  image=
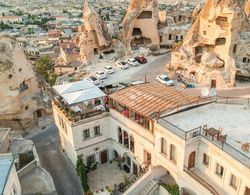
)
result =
(82, 173)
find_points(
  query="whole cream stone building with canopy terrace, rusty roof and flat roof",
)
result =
(160, 133)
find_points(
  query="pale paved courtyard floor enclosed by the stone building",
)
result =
(106, 175)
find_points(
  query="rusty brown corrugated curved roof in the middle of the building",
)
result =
(149, 98)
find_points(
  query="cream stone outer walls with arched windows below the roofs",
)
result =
(235, 175)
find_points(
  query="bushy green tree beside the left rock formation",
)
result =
(45, 67)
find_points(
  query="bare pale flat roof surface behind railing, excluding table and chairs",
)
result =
(232, 119)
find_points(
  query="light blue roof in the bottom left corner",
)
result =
(6, 161)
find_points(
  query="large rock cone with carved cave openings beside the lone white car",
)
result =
(210, 47)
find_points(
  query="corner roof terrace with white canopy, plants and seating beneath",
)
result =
(79, 100)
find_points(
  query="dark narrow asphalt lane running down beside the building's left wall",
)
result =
(56, 163)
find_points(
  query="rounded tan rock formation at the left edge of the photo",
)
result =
(21, 97)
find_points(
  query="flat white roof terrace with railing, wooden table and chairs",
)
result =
(226, 125)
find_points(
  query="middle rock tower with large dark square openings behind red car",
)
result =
(140, 23)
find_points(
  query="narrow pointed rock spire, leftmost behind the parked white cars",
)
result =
(94, 36)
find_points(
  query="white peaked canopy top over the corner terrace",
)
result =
(77, 92)
